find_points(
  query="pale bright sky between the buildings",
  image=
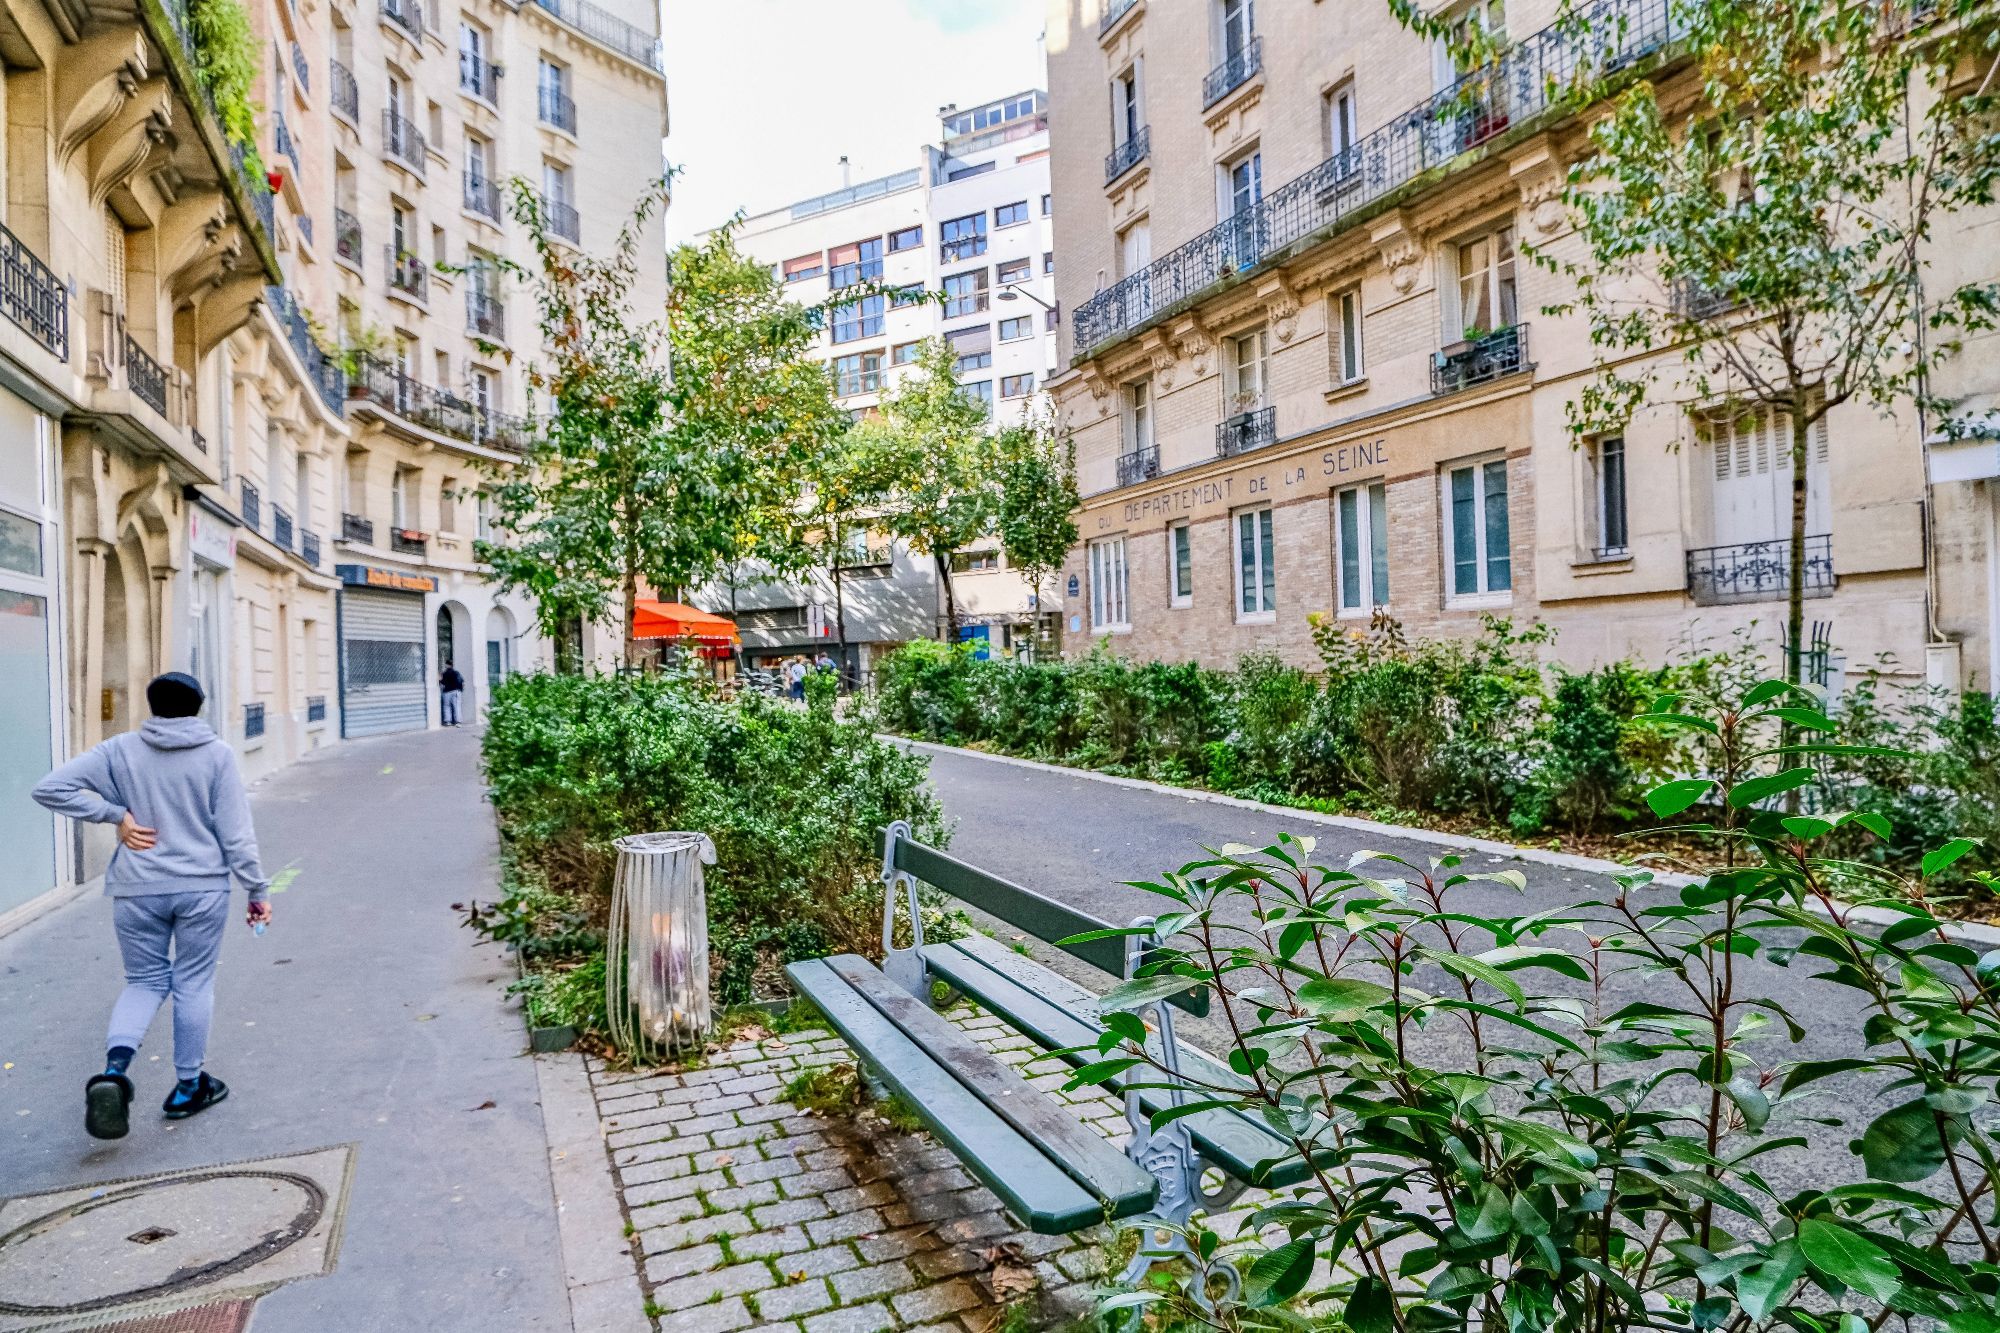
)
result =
(767, 95)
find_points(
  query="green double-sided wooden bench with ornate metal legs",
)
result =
(1051, 1172)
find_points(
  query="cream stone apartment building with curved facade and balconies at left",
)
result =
(187, 477)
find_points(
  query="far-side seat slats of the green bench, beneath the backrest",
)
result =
(1061, 1014)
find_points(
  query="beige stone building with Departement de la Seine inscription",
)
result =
(1309, 369)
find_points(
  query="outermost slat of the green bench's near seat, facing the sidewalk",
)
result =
(1035, 1188)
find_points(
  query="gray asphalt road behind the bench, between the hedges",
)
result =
(1079, 840)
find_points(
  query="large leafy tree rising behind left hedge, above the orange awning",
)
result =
(671, 447)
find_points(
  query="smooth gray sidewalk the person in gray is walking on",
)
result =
(365, 1018)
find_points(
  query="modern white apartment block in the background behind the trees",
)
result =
(973, 223)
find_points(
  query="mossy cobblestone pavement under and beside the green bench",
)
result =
(749, 1214)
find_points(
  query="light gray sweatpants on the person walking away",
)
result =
(147, 926)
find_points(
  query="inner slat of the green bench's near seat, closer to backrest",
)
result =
(1081, 1152)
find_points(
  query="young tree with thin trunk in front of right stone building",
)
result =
(1763, 245)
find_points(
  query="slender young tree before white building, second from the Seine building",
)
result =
(933, 453)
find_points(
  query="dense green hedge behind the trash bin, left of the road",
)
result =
(791, 798)
